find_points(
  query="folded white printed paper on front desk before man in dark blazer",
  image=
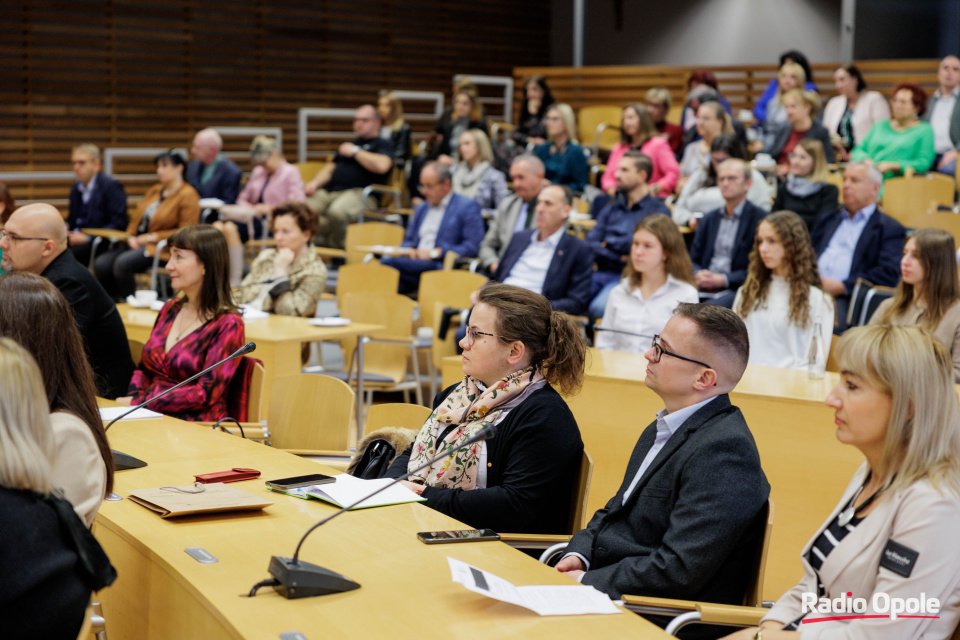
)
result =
(546, 600)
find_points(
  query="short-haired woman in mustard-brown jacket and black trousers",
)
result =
(167, 206)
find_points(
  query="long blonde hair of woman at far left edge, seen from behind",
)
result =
(26, 437)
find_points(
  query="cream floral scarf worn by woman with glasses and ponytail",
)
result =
(467, 409)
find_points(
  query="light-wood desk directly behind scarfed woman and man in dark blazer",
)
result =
(806, 467)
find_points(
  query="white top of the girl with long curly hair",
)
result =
(774, 340)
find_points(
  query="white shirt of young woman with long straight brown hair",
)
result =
(628, 312)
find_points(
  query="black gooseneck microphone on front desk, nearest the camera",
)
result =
(295, 579)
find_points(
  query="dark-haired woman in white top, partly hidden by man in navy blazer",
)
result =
(701, 193)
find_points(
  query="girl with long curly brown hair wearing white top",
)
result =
(782, 301)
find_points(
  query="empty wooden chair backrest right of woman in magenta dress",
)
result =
(310, 411)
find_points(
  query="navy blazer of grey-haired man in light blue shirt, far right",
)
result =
(877, 254)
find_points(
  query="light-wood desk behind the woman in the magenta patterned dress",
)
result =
(278, 341)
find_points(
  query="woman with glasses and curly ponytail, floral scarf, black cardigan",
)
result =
(517, 354)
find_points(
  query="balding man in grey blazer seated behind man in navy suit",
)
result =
(516, 212)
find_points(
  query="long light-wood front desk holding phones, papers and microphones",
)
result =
(163, 593)
